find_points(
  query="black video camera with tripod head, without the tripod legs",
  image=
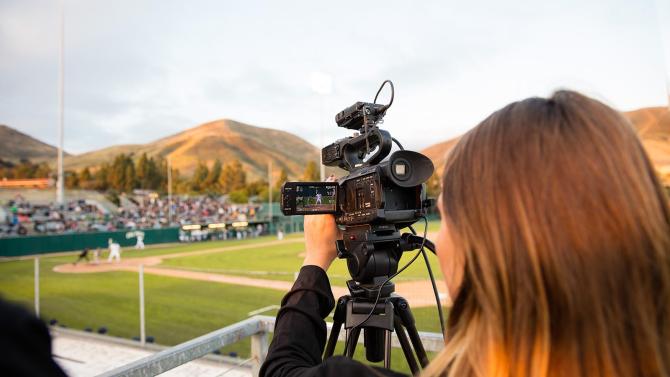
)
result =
(377, 199)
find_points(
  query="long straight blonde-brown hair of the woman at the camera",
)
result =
(564, 230)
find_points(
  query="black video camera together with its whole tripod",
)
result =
(372, 204)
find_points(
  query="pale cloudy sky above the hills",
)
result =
(136, 71)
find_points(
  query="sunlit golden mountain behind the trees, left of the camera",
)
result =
(223, 139)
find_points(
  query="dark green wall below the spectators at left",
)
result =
(29, 245)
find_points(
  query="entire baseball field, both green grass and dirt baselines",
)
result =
(190, 289)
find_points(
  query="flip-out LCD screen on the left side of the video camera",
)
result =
(306, 198)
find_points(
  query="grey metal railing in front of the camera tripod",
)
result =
(257, 327)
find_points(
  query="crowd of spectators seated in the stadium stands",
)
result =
(19, 216)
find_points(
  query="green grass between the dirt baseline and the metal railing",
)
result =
(176, 309)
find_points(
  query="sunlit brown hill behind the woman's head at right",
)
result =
(652, 124)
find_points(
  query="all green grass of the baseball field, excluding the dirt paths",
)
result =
(177, 309)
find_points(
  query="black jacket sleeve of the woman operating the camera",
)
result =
(300, 334)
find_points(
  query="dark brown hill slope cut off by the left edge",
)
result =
(15, 146)
